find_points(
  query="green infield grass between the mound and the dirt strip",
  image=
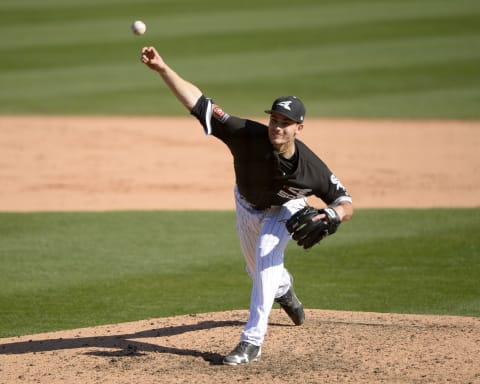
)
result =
(69, 270)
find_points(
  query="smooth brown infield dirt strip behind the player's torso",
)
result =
(58, 163)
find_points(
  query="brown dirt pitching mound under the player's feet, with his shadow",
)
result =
(331, 347)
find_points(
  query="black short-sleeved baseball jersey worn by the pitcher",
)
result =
(260, 177)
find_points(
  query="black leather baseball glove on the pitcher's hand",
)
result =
(307, 232)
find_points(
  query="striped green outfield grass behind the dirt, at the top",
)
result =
(347, 58)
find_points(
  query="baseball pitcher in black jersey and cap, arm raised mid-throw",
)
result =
(274, 174)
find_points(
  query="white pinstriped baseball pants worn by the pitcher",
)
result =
(263, 238)
